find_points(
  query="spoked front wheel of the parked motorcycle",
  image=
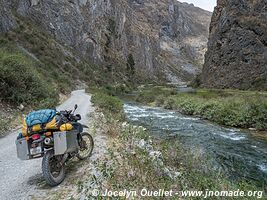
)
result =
(86, 146)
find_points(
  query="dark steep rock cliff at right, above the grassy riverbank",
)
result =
(237, 48)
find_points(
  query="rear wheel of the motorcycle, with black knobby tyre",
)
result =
(53, 170)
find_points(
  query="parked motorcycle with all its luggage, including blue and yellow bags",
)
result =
(57, 141)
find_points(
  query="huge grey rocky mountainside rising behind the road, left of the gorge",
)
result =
(150, 39)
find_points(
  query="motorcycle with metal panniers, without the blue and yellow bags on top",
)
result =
(57, 147)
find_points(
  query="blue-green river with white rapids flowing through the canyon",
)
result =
(241, 154)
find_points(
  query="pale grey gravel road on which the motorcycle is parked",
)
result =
(17, 177)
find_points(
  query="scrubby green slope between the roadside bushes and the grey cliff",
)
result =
(58, 64)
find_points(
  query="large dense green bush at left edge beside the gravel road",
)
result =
(21, 83)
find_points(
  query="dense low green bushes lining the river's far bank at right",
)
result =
(229, 111)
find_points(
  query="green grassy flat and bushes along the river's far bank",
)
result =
(245, 109)
